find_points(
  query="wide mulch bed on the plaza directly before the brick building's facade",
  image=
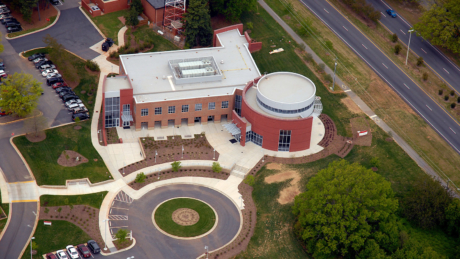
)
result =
(170, 150)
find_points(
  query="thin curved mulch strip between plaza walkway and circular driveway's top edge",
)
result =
(169, 174)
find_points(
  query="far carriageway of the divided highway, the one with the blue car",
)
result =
(438, 62)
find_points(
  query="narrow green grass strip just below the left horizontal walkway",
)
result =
(93, 200)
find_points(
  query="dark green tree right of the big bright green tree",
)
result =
(426, 204)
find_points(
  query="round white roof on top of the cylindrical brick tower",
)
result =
(286, 87)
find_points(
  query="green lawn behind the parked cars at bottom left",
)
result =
(55, 237)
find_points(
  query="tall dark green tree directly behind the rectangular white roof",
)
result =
(198, 24)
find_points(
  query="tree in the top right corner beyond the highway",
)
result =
(441, 25)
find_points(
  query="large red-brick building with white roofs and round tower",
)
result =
(221, 83)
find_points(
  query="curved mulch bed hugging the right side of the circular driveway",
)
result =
(240, 243)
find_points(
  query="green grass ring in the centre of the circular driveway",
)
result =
(165, 222)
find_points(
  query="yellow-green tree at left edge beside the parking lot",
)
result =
(19, 94)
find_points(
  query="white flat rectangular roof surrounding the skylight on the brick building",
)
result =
(152, 79)
